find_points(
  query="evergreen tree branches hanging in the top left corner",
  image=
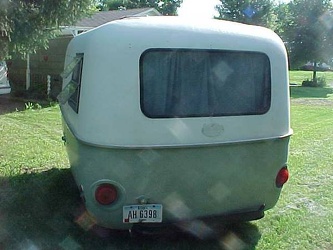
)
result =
(26, 25)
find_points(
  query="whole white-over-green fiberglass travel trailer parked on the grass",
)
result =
(167, 120)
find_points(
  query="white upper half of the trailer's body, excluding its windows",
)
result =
(109, 113)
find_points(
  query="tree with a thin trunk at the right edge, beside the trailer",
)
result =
(308, 32)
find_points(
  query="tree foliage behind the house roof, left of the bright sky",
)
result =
(165, 7)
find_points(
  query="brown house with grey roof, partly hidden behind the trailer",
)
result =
(32, 74)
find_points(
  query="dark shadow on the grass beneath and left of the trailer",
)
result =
(40, 211)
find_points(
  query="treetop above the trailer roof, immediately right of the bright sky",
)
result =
(257, 12)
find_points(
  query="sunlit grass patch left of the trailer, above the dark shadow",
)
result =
(33, 141)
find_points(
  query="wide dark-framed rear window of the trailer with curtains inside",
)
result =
(204, 83)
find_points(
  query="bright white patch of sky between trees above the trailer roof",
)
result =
(198, 8)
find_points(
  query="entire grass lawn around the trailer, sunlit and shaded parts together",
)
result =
(39, 204)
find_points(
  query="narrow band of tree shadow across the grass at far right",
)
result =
(310, 92)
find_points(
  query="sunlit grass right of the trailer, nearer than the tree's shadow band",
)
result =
(303, 218)
